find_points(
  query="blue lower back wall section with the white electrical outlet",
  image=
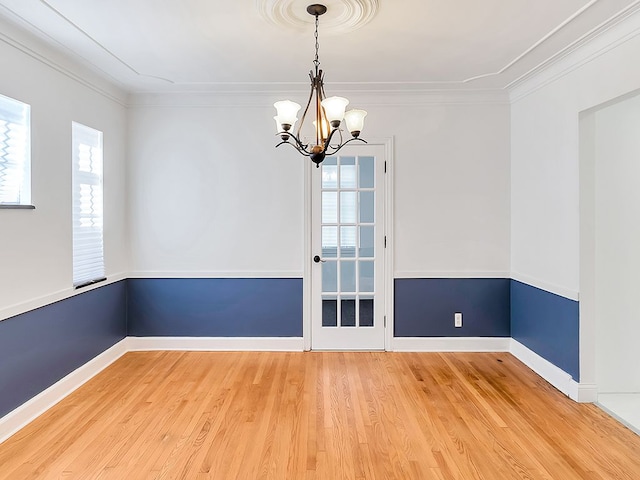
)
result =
(424, 307)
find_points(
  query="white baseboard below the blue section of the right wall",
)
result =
(579, 392)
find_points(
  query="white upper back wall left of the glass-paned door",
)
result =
(210, 196)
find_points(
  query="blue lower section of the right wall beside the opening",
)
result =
(548, 324)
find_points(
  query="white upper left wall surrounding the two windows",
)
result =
(35, 245)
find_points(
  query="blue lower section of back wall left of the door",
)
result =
(214, 307)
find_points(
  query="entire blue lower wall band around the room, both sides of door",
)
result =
(40, 347)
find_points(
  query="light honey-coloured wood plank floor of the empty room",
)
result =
(201, 415)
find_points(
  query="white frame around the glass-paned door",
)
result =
(387, 143)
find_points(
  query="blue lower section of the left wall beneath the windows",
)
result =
(40, 347)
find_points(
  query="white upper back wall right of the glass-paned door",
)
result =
(451, 202)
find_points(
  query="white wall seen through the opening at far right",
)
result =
(617, 241)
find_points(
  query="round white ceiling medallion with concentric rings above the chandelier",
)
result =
(343, 16)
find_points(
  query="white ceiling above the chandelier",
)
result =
(213, 45)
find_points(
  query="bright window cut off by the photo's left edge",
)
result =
(15, 152)
